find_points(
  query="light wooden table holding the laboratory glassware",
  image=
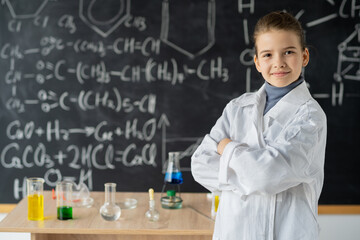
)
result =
(191, 222)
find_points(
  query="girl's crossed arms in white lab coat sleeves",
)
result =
(292, 158)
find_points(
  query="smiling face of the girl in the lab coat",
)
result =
(280, 57)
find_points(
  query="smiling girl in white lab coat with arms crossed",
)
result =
(266, 152)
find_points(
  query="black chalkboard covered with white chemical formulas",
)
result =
(101, 91)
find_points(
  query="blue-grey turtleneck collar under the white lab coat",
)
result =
(274, 94)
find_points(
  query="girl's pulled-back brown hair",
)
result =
(279, 21)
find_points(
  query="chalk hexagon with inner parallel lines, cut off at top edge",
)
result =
(104, 16)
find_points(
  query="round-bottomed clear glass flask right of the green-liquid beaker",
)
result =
(110, 211)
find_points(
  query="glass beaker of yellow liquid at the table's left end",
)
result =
(35, 196)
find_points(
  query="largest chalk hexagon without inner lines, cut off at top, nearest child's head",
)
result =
(190, 30)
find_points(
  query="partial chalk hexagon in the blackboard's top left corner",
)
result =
(22, 9)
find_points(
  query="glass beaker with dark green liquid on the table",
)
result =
(64, 200)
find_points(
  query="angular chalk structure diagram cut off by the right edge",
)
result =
(348, 67)
